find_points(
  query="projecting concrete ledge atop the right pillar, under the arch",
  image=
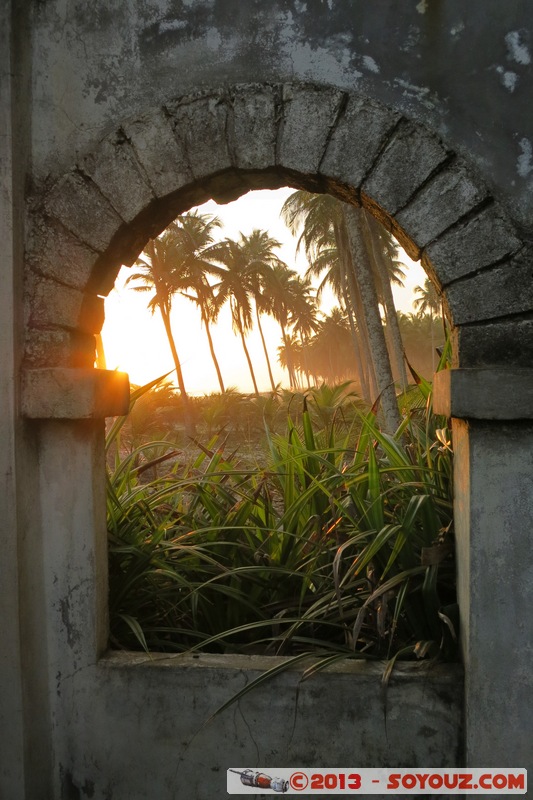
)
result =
(484, 393)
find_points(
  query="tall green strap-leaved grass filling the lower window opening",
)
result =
(339, 545)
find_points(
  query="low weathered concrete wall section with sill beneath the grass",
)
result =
(340, 717)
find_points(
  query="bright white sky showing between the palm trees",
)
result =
(135, 341)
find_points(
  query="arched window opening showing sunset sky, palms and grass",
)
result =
(264, 502)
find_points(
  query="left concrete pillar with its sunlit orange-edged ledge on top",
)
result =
(63, 558)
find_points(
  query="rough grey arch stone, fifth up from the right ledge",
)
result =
(408, 160)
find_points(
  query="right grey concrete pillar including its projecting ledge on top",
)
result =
(492, 413)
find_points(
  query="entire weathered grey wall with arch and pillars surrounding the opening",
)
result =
(117, 117)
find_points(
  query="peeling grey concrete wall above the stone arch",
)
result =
(462, 69)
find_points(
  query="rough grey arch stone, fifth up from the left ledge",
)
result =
(115, 170)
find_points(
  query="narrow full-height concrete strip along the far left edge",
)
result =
(14, 74)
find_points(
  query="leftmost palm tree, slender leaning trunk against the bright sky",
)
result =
(157, 275)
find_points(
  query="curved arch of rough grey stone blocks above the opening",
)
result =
(223, 143)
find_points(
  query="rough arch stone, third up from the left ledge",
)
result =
(56, 253)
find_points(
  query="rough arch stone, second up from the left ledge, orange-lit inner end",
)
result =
(54, 304)
